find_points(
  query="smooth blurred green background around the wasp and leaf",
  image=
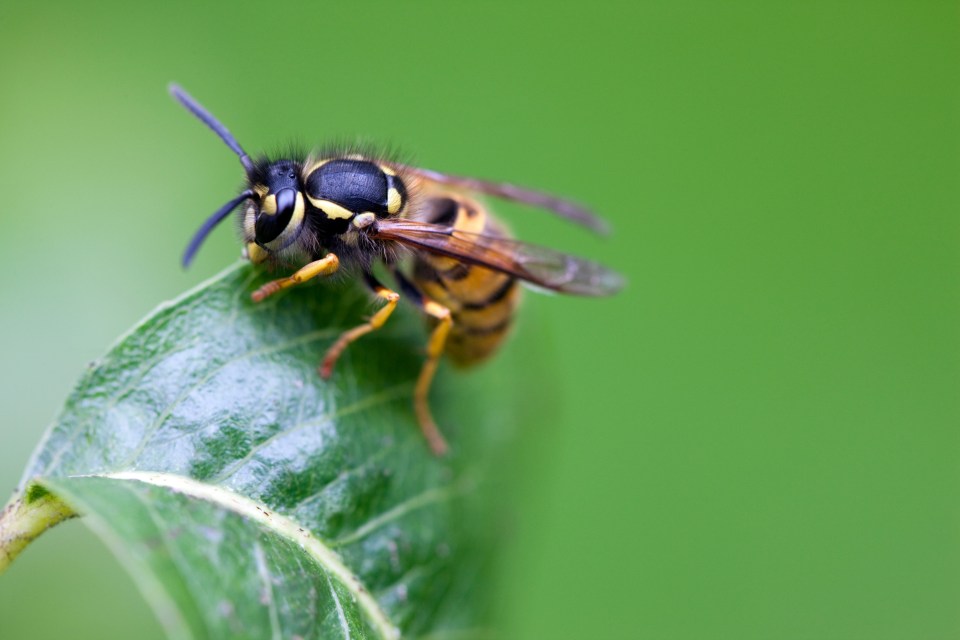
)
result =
(757, 439)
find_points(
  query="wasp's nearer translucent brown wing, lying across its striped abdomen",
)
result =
(541, 266)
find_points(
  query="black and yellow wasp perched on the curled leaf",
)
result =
(340, 210)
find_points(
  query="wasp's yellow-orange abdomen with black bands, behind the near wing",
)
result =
(481, 301)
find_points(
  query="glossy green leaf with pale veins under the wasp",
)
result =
(249, 498)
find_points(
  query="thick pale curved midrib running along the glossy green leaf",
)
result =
(279, 525)
